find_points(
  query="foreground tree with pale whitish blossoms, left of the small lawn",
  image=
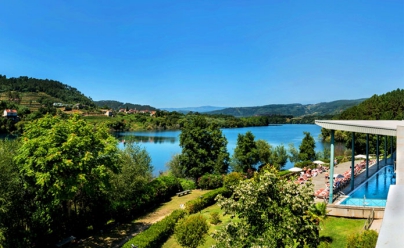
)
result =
(271, 212)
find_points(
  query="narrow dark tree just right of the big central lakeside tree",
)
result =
(246, 154)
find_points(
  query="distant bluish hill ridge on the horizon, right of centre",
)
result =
(295, 109)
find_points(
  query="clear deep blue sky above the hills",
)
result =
(196, 53)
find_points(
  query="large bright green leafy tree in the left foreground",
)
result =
(65, 165)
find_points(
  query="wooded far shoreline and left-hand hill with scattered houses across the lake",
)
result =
(33, 98)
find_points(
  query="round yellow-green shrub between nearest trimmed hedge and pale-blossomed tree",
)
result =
(191, 232)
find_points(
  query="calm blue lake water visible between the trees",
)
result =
(162, 145)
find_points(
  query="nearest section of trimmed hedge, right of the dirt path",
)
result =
(158, 233)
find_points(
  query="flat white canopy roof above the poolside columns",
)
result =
(388, 128)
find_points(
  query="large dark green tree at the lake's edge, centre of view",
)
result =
(203, 148)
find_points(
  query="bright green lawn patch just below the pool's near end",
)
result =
(336, 230)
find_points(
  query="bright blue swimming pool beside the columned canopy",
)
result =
(373, 192)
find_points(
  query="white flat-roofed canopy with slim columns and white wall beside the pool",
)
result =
(393, 222)
